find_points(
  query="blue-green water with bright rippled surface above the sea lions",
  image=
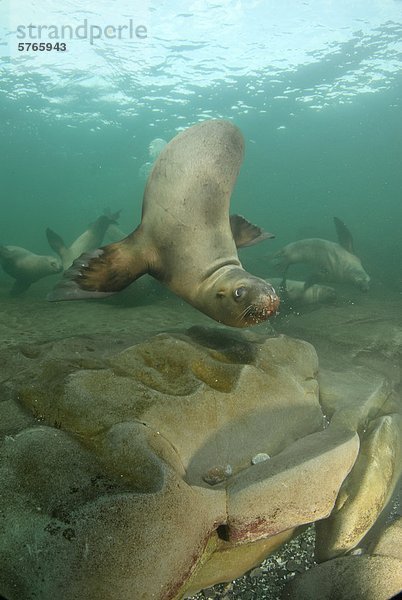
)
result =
(323, 132)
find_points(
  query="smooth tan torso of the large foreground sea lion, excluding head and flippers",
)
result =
(205, 222)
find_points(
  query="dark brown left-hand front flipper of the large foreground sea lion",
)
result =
(104, 271)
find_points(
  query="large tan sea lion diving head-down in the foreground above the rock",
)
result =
(184, 239)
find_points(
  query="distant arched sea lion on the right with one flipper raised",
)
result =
(336, 262)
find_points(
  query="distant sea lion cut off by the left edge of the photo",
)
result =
(26, 267)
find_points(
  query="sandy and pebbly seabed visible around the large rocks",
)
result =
(359, 329)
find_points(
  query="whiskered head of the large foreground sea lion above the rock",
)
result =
(238, 299)
